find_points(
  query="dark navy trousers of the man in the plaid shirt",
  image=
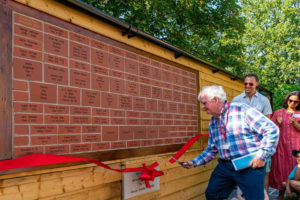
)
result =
(224, 178)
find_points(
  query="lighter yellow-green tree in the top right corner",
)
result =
(272, 41)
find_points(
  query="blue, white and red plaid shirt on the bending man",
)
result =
(247, 131)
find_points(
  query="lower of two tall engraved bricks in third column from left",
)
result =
(79, 78)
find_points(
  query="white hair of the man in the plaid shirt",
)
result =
(213, 91)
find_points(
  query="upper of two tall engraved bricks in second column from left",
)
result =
(56, 45)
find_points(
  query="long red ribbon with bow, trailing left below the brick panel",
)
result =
(148, 173)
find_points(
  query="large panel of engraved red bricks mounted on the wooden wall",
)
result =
(76, 94)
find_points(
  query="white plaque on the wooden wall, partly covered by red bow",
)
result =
(133, 186)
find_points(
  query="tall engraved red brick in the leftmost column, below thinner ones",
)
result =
(28, 70)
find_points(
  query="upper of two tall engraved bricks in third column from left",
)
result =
(79, 52)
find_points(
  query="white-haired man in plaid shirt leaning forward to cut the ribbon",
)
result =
(235, 130)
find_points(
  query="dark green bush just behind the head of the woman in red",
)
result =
(280, 94)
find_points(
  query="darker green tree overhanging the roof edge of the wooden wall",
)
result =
(204, 28)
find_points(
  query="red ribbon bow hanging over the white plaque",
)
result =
(149, 173)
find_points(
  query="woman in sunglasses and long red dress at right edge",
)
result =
(287, 119)
